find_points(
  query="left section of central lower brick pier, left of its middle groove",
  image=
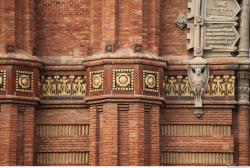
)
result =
(104, 135)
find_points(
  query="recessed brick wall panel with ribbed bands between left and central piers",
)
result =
(62, 132)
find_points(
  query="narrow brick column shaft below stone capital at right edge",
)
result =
(243, 134)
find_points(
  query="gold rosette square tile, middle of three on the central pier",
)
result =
(123, 79)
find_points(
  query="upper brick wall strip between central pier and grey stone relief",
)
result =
(172, 39)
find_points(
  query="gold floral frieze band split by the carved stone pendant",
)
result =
(218, 85)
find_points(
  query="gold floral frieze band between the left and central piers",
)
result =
(63, 85)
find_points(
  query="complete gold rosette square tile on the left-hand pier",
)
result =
(24, 81)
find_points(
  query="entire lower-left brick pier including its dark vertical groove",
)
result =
(17, 135)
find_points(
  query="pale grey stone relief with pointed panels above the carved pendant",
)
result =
(212, 25)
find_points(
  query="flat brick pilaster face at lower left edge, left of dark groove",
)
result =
(8, 133)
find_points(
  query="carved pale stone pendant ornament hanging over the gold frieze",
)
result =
(198, 74)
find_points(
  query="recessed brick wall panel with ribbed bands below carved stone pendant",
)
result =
(188, 134)
